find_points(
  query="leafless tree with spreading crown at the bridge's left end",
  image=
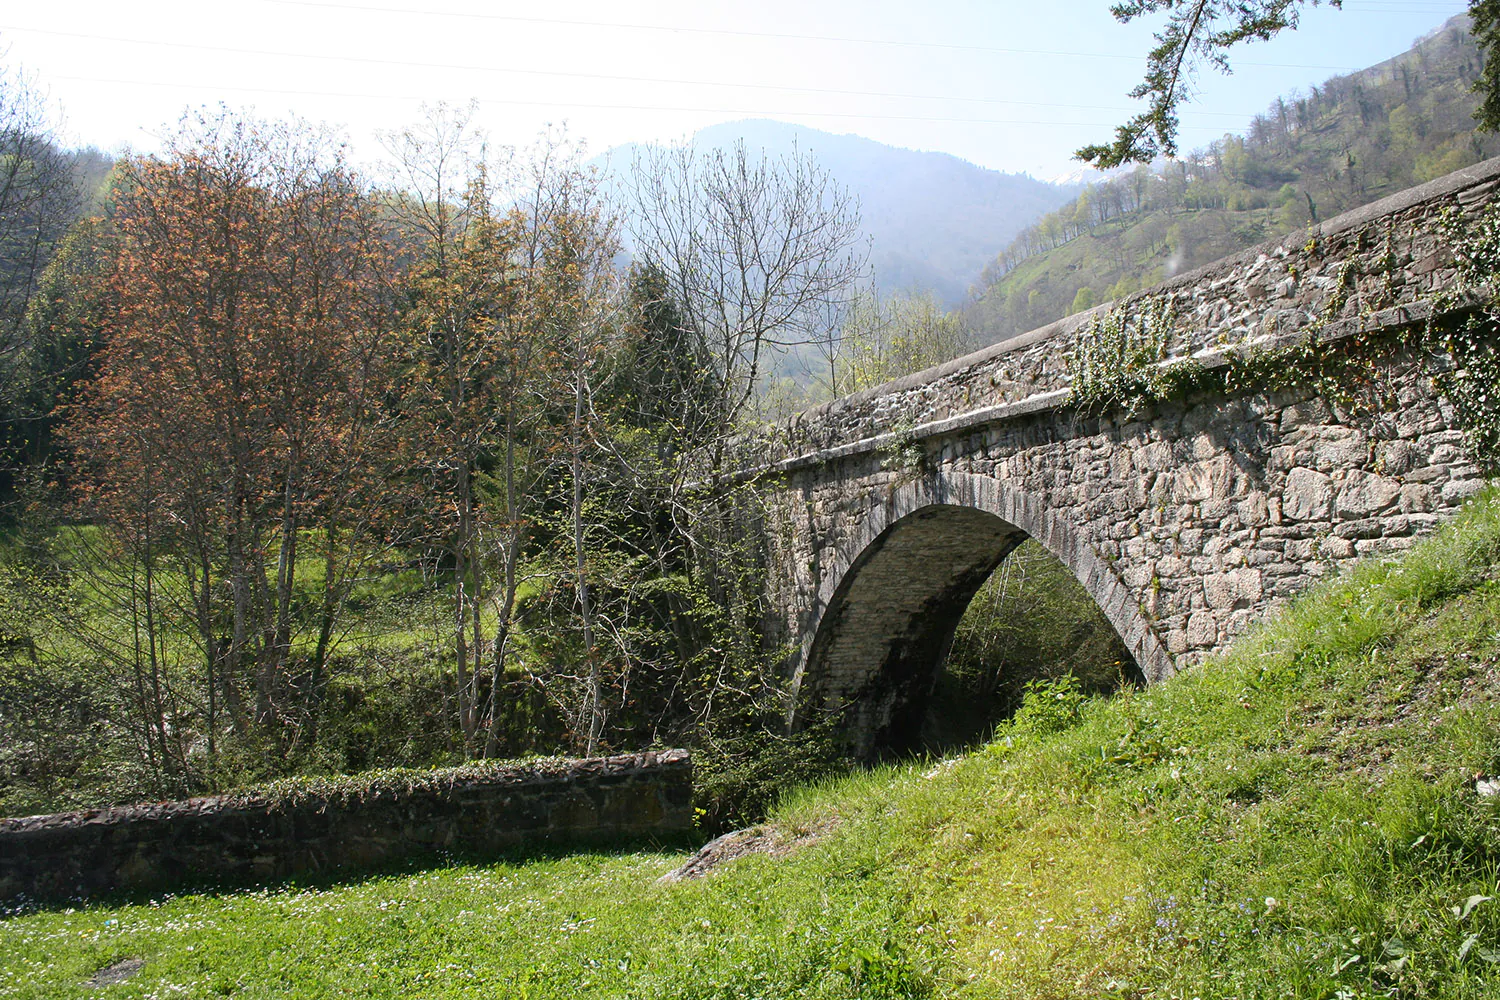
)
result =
(748, 257)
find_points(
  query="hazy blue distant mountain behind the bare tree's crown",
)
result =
(935, 220)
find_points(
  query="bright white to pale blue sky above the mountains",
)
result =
(1010, 85)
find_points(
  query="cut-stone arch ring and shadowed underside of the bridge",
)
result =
(887, 608)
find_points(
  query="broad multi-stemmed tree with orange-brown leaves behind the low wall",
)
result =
(236, 422)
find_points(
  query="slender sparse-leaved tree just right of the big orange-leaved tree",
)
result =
(470, 358)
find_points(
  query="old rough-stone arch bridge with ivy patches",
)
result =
(1186, 519)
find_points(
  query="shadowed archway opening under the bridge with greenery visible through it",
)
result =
(881, 648)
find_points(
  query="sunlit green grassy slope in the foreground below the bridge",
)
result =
(1294, 819)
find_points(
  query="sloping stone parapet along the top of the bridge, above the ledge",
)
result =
(1372, 269)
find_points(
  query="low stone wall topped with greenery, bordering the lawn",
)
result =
(350, 824)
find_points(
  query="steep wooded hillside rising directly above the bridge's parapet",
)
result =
(1310, 157)
